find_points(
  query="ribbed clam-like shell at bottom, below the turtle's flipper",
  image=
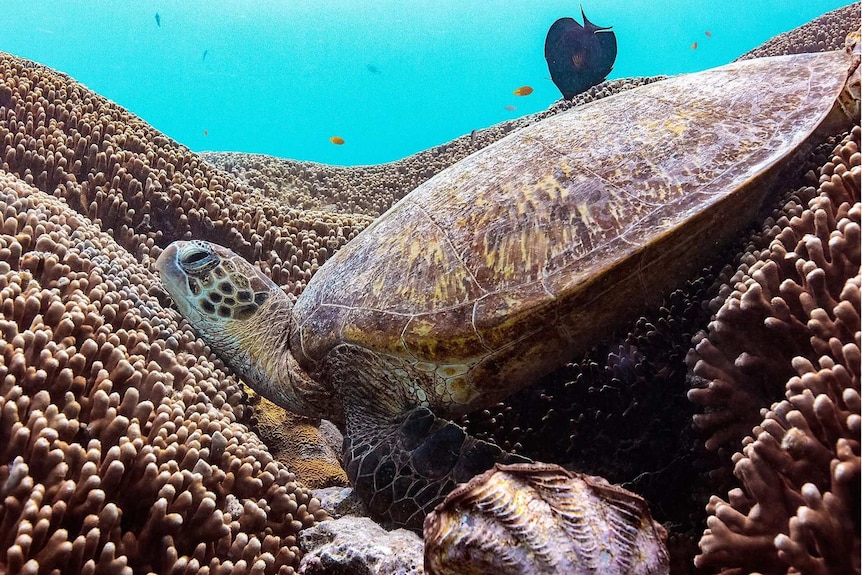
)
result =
(537, 519)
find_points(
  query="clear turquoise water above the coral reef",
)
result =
(391, 77)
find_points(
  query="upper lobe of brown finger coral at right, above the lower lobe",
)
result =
(780, 291)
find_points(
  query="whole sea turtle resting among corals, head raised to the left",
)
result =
(501, 267)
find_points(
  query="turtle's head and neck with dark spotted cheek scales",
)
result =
(243, 316)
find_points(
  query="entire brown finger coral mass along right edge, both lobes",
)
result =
(797, 302)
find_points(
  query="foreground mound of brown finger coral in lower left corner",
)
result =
(121, 447)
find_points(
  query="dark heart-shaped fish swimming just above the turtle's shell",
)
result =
(579, 57)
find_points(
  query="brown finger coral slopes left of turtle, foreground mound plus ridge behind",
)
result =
(119, 432)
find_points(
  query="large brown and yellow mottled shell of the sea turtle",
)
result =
(496, 270)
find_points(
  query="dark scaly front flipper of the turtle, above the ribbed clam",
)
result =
(403, 467)
